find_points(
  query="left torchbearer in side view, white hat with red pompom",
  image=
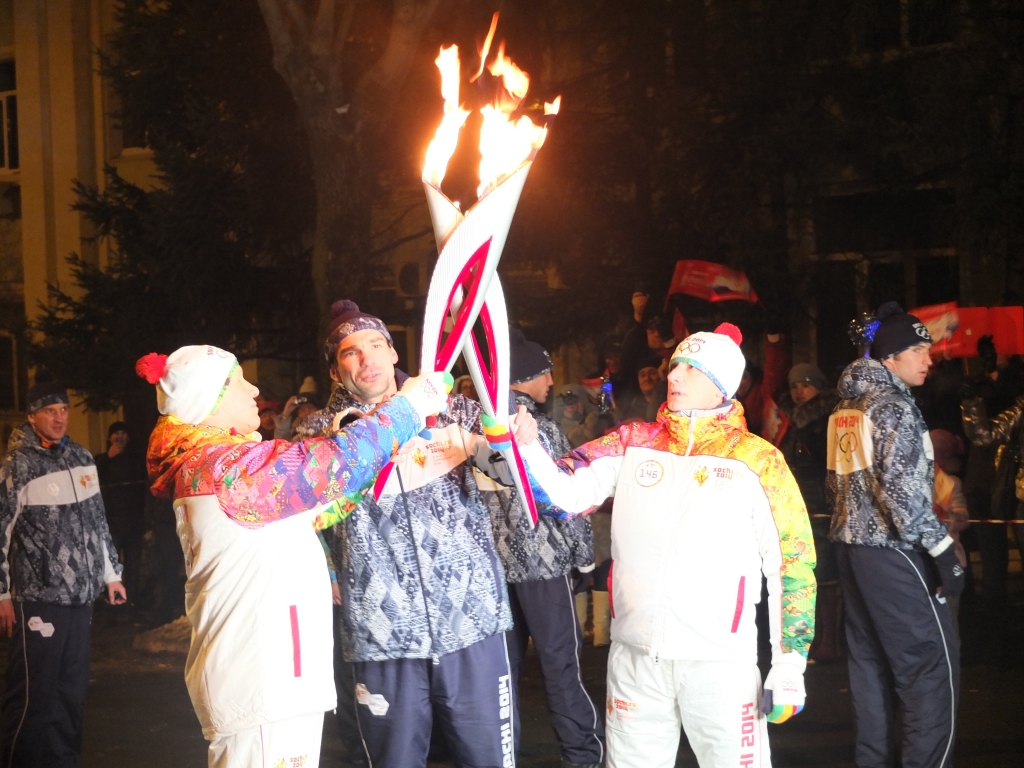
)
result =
(259, 595)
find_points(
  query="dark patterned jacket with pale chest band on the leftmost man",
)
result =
(54, 533)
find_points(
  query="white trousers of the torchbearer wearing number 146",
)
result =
(717, 703)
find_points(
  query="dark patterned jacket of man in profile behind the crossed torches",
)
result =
(556, 546)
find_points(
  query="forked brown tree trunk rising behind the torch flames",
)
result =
(343, 129)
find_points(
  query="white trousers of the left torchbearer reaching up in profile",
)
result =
(294, 744)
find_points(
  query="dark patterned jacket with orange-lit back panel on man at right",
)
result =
(881, 468)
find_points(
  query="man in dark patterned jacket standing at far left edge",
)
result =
(62, 560)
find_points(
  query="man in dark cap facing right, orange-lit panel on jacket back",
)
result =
(897, 562)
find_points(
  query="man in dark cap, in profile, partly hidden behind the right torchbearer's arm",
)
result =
(543, 566)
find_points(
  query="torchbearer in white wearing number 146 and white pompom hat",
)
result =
(702, 509)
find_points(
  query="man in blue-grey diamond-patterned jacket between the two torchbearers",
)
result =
(424, 602)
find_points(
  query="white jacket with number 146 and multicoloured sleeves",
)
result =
(702, 509)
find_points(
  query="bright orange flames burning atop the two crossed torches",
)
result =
(505, 144)
